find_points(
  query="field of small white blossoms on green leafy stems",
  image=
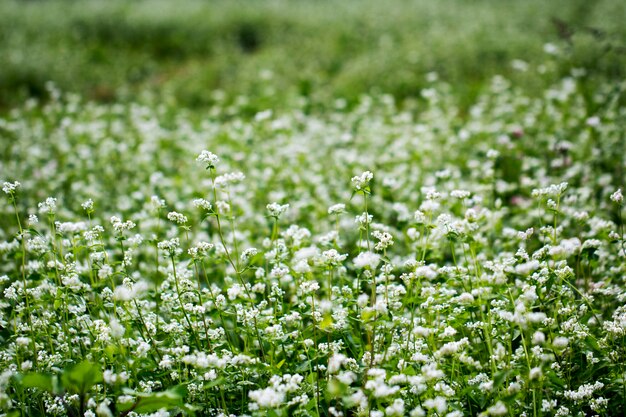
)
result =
(375, 257)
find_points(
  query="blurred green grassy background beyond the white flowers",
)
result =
(265, 53)
